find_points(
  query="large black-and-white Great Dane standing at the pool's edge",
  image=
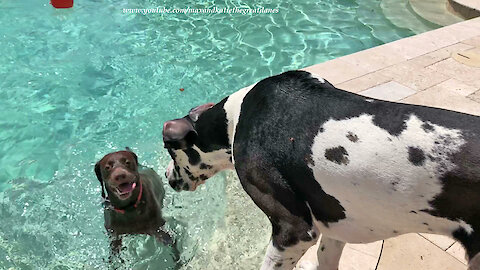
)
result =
(317, 159)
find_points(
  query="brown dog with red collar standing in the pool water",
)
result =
(134, 199)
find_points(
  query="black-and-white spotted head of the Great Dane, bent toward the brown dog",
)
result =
(188, 141)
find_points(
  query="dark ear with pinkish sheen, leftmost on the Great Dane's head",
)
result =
(179, 134)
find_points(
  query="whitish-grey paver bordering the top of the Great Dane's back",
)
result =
(391, 91)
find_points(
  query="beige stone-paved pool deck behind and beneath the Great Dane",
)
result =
(418, 70)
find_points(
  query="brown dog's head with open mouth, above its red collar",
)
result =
(119, 172)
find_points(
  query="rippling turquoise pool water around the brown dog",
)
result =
(76, 84)
